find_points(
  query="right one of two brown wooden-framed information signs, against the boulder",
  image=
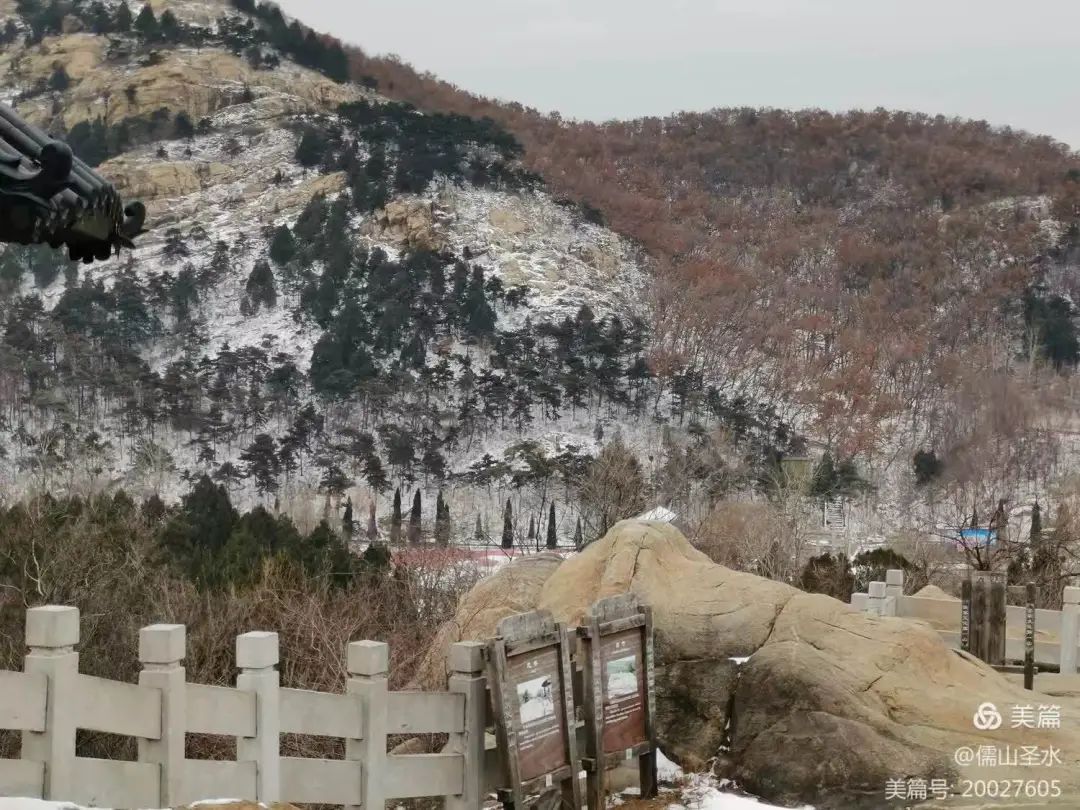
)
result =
(619, 694)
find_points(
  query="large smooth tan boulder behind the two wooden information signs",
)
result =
(795, 696)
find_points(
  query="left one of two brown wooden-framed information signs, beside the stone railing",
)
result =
(535, 723)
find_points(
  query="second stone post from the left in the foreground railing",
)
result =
(161, 650)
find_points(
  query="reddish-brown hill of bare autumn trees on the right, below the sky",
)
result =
(895, 283)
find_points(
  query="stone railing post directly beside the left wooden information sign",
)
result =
(467, 678)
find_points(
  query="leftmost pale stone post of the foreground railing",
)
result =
(52, 632)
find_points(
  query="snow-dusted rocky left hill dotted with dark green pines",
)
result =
(342, 302)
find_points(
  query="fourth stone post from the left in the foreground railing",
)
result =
(369, 665)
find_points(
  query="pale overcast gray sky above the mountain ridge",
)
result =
(1008, 62)
